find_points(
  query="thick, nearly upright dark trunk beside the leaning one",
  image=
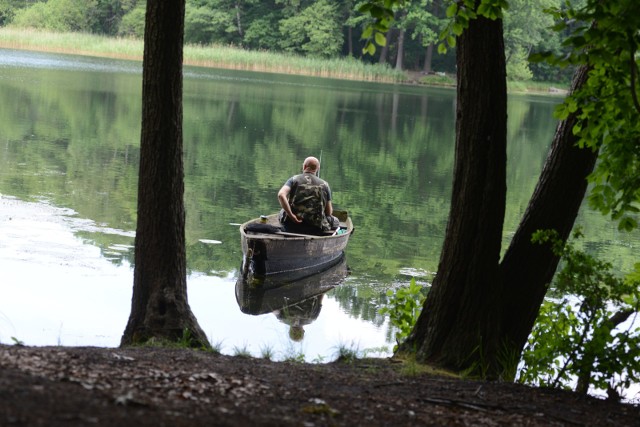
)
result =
(457, 327)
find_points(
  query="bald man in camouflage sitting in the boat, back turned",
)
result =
(306, 202)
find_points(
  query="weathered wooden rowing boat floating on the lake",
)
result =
(267, 250)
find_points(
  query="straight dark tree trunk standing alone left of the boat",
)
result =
(159, 307)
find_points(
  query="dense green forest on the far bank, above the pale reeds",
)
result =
(318, 28)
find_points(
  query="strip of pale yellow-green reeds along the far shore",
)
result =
(214, 56)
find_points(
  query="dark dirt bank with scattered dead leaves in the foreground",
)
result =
(88, 386)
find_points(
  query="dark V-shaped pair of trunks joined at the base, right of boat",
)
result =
(476, 309)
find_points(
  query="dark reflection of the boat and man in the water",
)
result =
(295, 301)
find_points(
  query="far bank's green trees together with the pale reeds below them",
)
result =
(320, 38)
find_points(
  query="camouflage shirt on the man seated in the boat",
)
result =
(308, 198)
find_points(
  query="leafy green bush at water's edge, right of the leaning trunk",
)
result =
(579, 340)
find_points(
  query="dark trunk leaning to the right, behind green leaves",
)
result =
(528, 268)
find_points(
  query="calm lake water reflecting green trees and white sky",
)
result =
(68, 182)
